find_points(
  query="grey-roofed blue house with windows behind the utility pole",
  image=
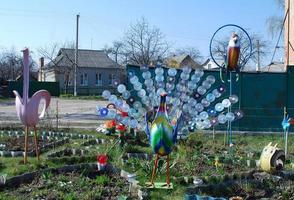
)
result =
(95, 72)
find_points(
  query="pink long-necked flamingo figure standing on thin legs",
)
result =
(27, 109)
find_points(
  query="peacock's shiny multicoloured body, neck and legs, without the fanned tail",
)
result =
(162, 137)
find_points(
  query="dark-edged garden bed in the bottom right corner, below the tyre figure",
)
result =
(255, 185)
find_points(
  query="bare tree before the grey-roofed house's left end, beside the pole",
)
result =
(50, 52)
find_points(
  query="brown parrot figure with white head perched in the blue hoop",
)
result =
(233, 53)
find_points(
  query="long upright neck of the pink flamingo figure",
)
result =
(26, 81)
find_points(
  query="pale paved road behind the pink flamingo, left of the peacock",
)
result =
(72, 113)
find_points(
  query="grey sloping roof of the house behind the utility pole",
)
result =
(86, 58)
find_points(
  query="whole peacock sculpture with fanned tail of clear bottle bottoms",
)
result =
(168, 103)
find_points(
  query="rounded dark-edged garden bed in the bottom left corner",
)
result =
(68, 182)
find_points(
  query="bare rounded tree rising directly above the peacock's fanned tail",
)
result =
(141, 44)
